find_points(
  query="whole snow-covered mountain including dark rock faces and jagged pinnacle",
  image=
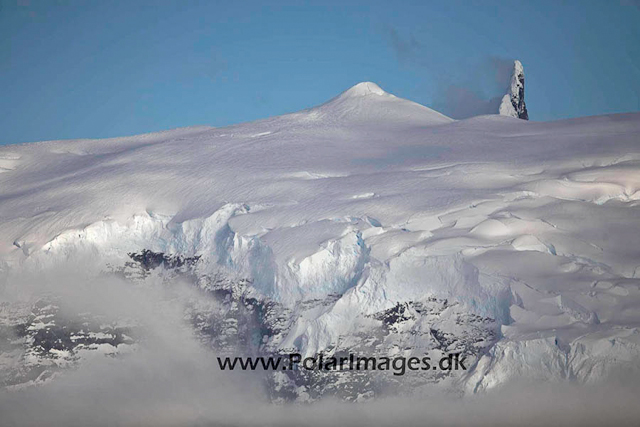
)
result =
(369, 224)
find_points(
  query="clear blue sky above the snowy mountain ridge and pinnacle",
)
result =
(93, 69)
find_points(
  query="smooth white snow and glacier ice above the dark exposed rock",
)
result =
(375, 200)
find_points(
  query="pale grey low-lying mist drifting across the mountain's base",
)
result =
(171, 379)
